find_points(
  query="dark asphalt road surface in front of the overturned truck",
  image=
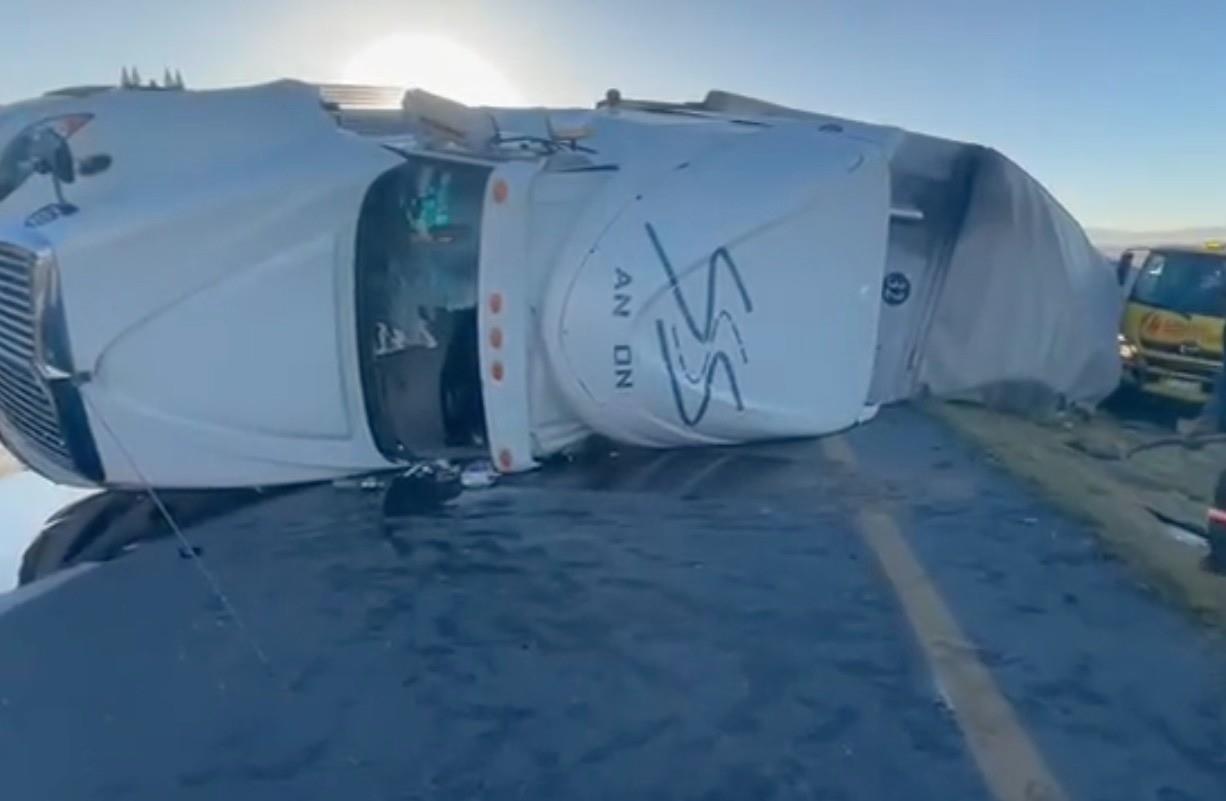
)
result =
(883, 615)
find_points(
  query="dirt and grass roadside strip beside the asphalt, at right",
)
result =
(1149, 505)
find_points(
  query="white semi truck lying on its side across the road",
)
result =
(292, 283)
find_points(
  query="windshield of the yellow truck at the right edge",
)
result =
(1186, 283)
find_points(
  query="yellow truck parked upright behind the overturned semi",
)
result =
(1171, 338)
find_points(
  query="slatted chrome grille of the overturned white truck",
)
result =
(25, 399)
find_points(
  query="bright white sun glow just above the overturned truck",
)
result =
(436, 64)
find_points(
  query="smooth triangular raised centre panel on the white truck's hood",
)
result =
(257, 354)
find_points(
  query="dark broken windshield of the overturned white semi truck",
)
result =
(417, 259)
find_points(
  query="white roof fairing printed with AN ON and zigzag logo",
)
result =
(736, 299)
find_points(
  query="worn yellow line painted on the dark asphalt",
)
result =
(1011, 764)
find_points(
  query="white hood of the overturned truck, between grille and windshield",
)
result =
(207, 275)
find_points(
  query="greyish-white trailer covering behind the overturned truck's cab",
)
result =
(1027, 299)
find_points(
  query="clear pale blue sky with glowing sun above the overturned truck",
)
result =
(1115, 105)
